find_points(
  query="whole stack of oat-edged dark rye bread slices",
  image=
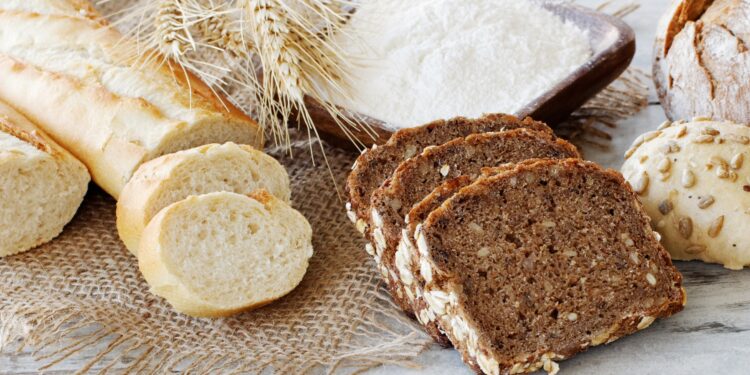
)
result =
(501, 241)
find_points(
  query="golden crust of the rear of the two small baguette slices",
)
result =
(139, 197)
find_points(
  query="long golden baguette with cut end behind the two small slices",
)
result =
(82, 83)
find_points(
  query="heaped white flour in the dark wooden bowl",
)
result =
(420, 60)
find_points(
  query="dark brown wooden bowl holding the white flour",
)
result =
(613, 45)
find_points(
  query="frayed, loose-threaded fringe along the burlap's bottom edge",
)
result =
(57, 335)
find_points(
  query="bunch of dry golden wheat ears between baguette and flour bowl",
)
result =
(279, 51)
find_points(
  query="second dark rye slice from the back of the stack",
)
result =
(418, 176)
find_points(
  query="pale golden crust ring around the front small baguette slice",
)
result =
(165, 283)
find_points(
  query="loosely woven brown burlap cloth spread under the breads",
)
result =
(82, 296)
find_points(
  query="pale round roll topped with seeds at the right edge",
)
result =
(694, 180)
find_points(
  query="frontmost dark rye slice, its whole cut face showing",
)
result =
(538, 263)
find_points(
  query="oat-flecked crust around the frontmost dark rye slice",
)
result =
(443, 293)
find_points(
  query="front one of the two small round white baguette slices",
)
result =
(222, 253)
